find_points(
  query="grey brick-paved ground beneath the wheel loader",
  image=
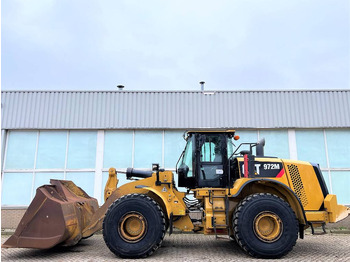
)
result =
(188, 247)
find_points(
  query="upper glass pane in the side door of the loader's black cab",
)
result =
(211, 149)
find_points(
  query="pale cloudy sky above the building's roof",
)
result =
(172, 45)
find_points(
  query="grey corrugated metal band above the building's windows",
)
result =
(174, 109)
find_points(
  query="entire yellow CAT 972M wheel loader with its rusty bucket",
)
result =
(262, 202)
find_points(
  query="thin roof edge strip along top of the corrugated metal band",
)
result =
(174, 91)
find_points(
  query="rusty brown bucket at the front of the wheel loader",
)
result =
(57, 215)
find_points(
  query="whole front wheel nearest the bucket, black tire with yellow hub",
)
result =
(134, 226)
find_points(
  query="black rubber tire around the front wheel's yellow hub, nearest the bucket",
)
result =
(152, 214)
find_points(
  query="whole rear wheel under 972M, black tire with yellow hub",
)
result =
(265, 226)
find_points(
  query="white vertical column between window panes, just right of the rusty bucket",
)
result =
(99, 165)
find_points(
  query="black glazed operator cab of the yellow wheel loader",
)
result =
(204, 162)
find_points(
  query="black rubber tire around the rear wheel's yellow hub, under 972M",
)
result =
(267, 203)
